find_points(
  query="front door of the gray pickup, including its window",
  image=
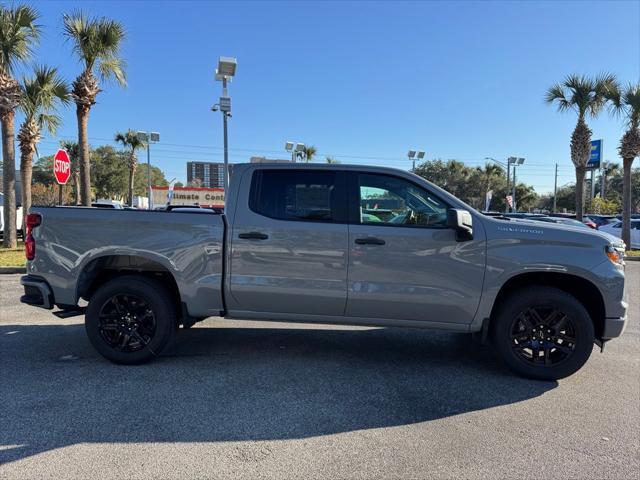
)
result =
(404, 262)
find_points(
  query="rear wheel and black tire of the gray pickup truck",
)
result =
(131, 319)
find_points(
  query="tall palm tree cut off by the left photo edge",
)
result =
(18, 35)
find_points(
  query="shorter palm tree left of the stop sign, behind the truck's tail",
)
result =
(41, 95)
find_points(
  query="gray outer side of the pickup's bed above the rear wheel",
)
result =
(76, 245)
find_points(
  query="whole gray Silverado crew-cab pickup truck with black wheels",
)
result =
(331, 244)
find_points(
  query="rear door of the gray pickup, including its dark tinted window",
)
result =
(289, 243)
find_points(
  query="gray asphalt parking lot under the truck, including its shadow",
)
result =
(273, 400)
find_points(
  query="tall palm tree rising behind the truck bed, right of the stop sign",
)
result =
(97, 42)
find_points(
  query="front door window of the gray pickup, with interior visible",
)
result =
(393, 201)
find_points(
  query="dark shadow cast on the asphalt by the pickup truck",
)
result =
(240, 384)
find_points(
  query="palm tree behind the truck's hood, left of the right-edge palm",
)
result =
(585, 96)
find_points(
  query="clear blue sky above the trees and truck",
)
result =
(363, 81)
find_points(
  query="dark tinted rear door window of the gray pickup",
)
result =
(302, 195)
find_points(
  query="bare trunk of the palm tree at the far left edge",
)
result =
(9, 181)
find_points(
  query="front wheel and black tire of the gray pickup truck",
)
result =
(554, 348)
